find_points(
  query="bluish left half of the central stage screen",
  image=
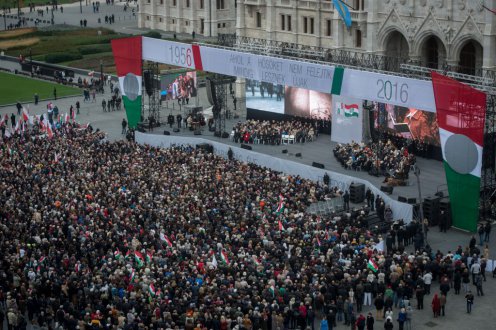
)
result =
(264, 96)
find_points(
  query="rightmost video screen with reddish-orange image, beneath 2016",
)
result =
(410, 123)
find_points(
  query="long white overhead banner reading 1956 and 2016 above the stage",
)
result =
(326, 78)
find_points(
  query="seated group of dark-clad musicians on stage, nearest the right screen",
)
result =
(378, 158)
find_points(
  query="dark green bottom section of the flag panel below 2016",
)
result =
(464, 191)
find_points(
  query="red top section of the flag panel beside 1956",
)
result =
(127, 55)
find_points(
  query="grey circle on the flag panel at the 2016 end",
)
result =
(461, 153)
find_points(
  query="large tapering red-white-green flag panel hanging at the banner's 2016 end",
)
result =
(461, 113)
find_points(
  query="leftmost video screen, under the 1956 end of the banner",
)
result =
(178, 86)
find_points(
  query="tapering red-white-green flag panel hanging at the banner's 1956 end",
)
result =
(128, 56)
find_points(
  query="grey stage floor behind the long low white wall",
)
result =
(432, 177)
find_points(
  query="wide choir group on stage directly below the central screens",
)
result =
(272, 132)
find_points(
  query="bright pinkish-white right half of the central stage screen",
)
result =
(307, 103)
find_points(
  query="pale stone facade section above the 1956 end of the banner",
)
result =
(205, 17)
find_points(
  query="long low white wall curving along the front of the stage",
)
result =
(400, 210)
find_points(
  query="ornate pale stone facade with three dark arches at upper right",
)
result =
(431, 32)
